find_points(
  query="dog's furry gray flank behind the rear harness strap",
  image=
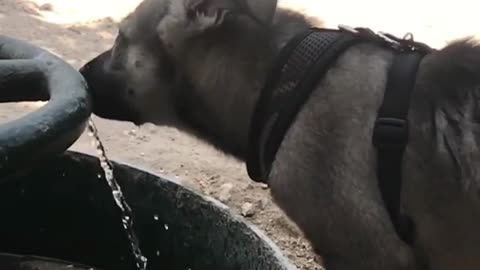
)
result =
(442, 170)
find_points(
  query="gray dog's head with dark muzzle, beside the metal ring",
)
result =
(137, 78)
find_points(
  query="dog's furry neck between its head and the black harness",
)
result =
(226, 72)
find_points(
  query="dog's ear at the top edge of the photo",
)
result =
(187, 18)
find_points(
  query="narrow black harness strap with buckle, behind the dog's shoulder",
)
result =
(390, 135)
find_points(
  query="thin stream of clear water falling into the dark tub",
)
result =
(127, 220)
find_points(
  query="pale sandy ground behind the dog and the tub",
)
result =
(79, 30)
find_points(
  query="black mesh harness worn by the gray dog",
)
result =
(299, 67)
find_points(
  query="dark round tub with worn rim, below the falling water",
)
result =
(62, 209)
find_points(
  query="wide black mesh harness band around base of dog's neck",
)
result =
(300, 65)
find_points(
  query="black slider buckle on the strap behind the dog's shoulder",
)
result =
(390, 133)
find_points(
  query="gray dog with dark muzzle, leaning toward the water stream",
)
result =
(199, 65)
